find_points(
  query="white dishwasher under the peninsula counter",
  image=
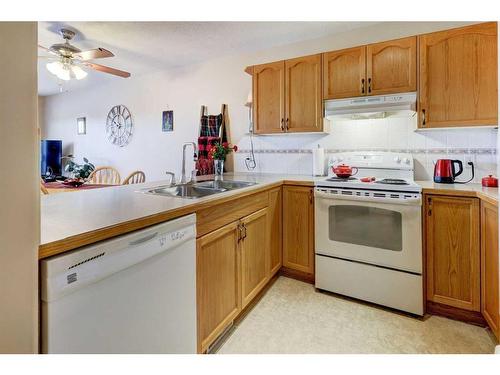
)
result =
(132, 294)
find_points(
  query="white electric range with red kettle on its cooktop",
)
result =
(368, 236)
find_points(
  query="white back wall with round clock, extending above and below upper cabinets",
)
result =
(213, 83)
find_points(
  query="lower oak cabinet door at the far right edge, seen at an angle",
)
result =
(489, 266)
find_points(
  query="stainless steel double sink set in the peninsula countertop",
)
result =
(198, 189)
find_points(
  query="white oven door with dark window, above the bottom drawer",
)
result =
(379, 231)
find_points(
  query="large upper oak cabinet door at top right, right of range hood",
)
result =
(458, 77)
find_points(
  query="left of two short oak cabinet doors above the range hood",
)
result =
(344, 73)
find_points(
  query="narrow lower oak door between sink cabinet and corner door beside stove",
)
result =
(276, 230)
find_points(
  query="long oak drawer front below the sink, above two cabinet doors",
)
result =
(218, 215)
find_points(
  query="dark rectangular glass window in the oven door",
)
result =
(367, 226)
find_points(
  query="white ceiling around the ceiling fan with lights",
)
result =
(141, 47)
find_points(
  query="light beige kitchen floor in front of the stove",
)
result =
(293, 318)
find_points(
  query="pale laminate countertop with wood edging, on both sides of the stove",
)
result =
(69, 221)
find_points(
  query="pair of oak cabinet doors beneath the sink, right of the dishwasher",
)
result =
(232, 266)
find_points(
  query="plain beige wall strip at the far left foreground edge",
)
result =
(19, 189)
